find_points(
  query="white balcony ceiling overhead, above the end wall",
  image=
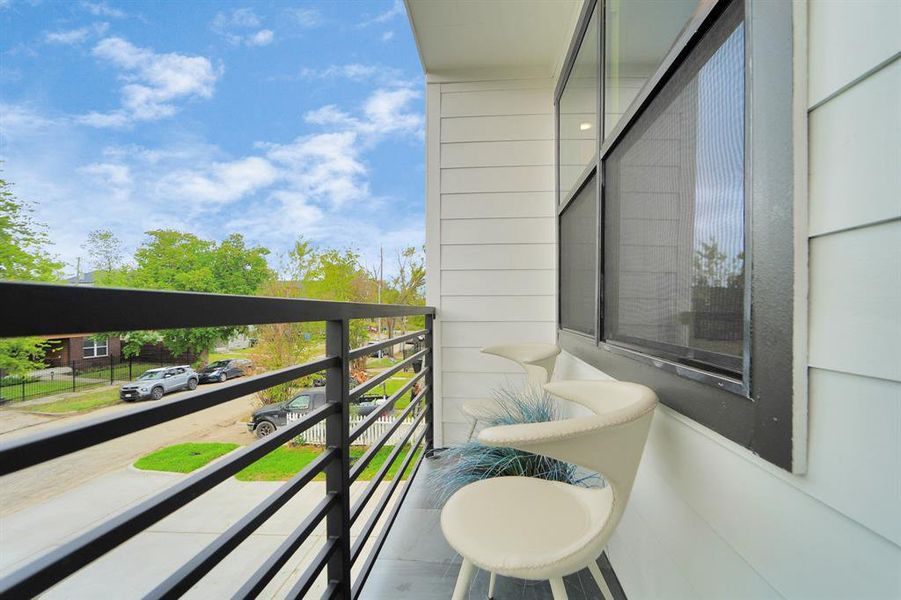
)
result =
(471, 35)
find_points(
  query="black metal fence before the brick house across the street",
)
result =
(79, 375)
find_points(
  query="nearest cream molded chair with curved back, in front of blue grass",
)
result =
(537, 529)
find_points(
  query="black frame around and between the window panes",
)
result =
(756, 411)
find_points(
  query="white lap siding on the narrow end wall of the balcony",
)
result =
(492, 234)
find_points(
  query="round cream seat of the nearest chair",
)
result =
(527, 527)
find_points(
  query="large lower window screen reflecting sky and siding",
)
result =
(674, 213)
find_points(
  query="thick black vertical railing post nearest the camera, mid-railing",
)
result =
(337, 430)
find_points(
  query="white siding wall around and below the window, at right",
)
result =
(709, 520)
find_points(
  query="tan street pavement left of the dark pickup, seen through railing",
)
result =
(36, 484)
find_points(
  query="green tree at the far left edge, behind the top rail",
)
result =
(24, 257)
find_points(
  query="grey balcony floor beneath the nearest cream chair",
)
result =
(417, 563)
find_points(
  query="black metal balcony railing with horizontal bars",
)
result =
(33, 309)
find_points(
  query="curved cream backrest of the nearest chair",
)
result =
(610, 441)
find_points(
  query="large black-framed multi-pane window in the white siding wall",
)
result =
(676, 240)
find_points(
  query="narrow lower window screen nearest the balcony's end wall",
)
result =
(578, 260)
